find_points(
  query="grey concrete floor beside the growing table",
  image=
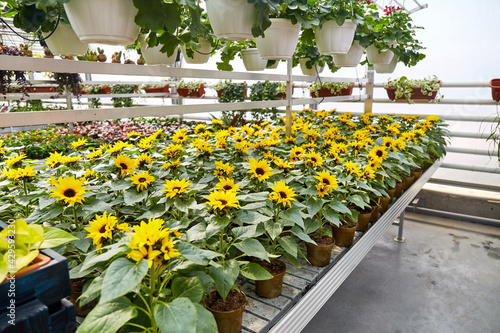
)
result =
(444, 278)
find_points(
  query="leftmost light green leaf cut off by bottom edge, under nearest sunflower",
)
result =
(108, 317)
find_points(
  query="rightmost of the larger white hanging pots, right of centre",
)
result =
(335, 39)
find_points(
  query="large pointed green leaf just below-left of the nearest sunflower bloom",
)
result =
(122, 276)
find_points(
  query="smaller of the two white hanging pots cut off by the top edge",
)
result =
(231, 19)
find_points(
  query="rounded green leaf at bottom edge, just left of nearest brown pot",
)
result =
(180, 315)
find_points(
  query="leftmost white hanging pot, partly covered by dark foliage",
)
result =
(65, 42)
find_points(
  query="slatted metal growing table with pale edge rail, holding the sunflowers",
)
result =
(308, 288)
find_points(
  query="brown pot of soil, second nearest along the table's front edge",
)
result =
(271, 288)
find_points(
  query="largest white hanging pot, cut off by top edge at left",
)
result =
(104, 22)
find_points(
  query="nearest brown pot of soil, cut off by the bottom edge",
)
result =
(228, 314)
